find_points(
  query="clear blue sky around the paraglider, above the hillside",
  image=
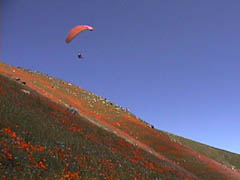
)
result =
(175, 64)
